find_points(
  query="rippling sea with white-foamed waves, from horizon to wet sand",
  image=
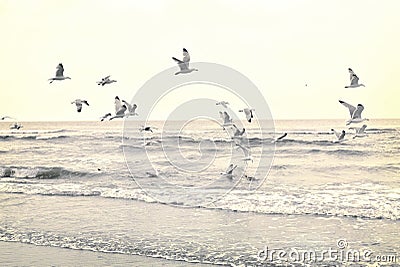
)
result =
(316, 188)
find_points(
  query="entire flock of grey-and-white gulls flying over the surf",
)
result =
(124, 109)
